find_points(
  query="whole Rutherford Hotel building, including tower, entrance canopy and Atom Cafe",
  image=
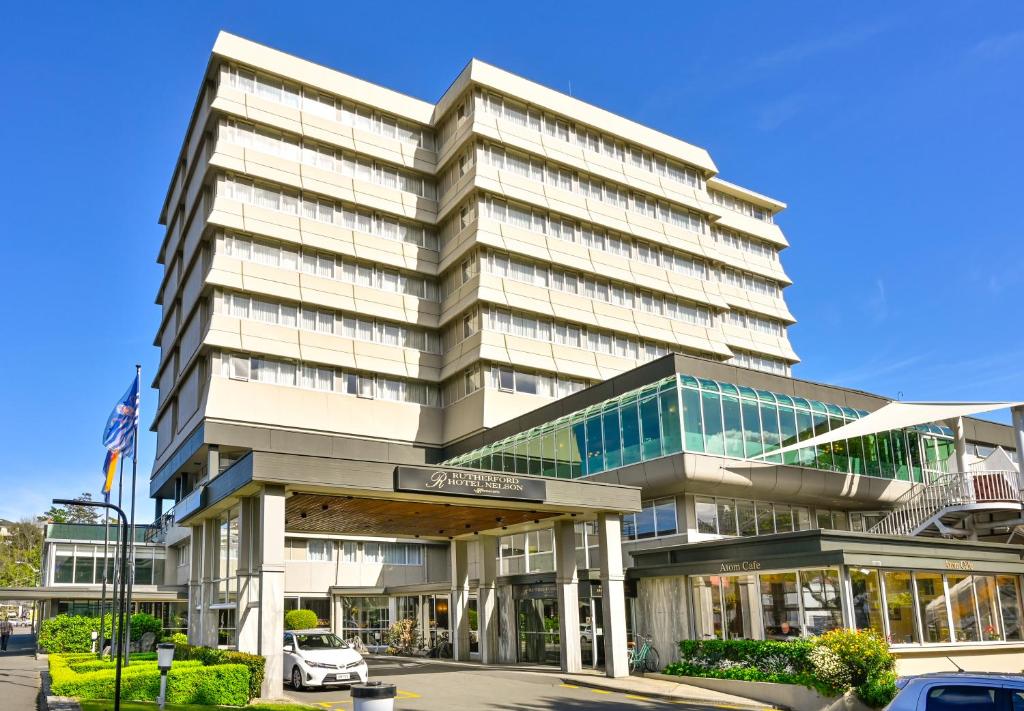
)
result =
(509, 364)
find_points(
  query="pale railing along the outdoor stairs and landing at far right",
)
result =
(915, 511)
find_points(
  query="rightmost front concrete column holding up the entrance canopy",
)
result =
(610, 530)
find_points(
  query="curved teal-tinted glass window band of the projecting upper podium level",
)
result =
(687, 414)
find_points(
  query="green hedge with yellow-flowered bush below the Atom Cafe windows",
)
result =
(831, 664)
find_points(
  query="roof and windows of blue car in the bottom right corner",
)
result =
(960, 692)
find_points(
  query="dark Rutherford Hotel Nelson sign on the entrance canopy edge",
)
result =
(483, 485)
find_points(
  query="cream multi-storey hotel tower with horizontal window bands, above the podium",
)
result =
(339, 256)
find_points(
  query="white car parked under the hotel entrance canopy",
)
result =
(318, 658)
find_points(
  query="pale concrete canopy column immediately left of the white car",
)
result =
(272, 587)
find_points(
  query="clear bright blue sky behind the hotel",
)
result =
(893, 132)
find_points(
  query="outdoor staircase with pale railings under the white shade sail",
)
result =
(950, 498)
